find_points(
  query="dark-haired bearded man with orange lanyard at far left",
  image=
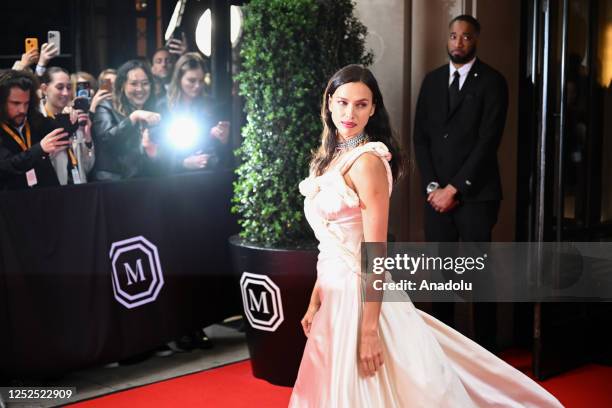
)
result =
(26, 137)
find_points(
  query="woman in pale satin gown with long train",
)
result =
(379, 354)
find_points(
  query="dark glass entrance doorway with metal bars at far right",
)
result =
(565, 160)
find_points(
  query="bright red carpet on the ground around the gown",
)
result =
(233, 386)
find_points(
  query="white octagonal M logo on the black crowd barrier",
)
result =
(137, 275)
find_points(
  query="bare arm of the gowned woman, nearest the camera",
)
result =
(368, 176)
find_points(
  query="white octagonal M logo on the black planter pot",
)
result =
(262, 301)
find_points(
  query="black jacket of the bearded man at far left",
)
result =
(14, 162)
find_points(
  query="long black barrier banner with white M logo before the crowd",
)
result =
(96, 273)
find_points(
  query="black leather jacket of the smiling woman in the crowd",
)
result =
(118, 145)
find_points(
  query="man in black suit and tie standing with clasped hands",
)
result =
(459, 121)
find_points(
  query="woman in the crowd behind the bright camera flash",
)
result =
(194, 137)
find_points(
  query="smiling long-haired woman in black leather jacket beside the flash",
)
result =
(121, 150)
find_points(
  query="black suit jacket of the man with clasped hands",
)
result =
(459, 146)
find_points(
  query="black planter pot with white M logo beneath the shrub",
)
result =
(276, 285)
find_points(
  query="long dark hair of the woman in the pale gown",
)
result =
(378, 128)
